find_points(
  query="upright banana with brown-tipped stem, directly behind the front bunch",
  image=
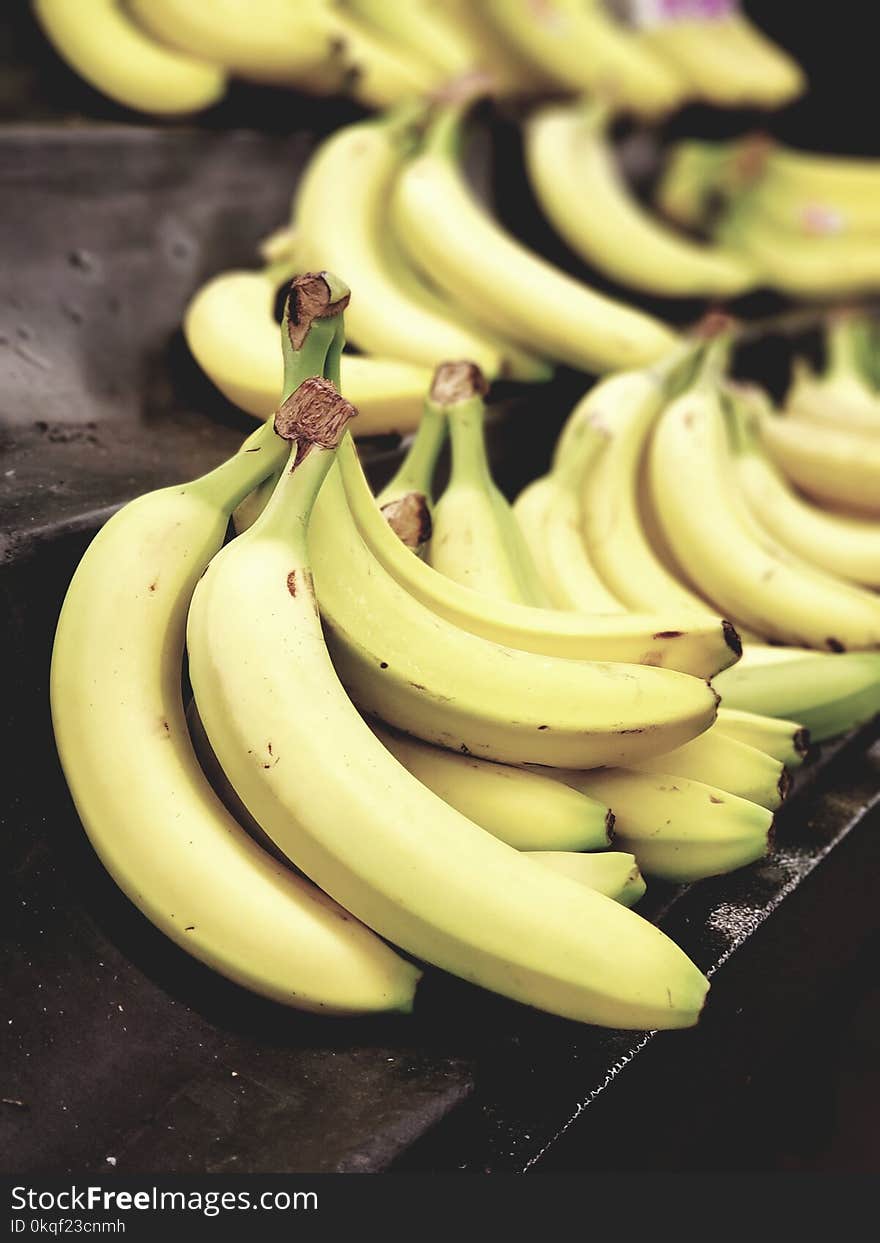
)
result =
(475, 539)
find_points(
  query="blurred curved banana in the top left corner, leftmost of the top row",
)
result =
(112, 54)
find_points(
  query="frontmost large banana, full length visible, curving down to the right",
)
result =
(336, 802)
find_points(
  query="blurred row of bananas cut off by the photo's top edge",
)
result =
(175, 57)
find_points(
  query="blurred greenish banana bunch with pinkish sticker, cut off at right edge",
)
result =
(807, 223)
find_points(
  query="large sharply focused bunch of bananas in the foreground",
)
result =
(382, 749)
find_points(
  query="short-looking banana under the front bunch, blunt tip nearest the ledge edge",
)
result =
(678, 830)
